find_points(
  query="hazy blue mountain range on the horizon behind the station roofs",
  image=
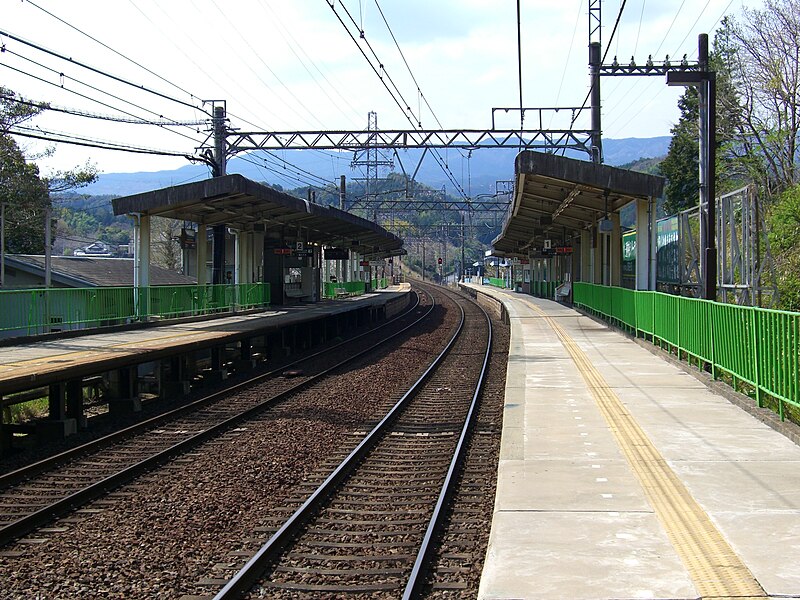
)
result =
(476, 172)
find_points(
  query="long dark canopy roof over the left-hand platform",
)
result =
(240, 203)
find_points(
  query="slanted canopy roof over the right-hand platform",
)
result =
(556, 197)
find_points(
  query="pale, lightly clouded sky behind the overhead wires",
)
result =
(292, 66)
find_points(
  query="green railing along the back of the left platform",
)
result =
(34, 311)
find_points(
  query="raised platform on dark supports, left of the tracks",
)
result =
(167, 357)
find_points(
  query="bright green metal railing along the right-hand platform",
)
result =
(756, 347)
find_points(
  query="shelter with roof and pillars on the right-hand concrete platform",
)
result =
(563, 224)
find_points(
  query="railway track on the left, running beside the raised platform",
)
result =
(33, 496)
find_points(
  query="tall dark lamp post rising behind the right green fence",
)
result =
(705, 81)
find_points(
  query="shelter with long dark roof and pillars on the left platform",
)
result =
(253, 232)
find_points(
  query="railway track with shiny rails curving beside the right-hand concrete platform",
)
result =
(371, 526)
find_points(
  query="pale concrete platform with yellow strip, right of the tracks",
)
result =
(622, 475)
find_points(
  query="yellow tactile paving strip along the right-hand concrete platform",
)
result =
(716, 570)
